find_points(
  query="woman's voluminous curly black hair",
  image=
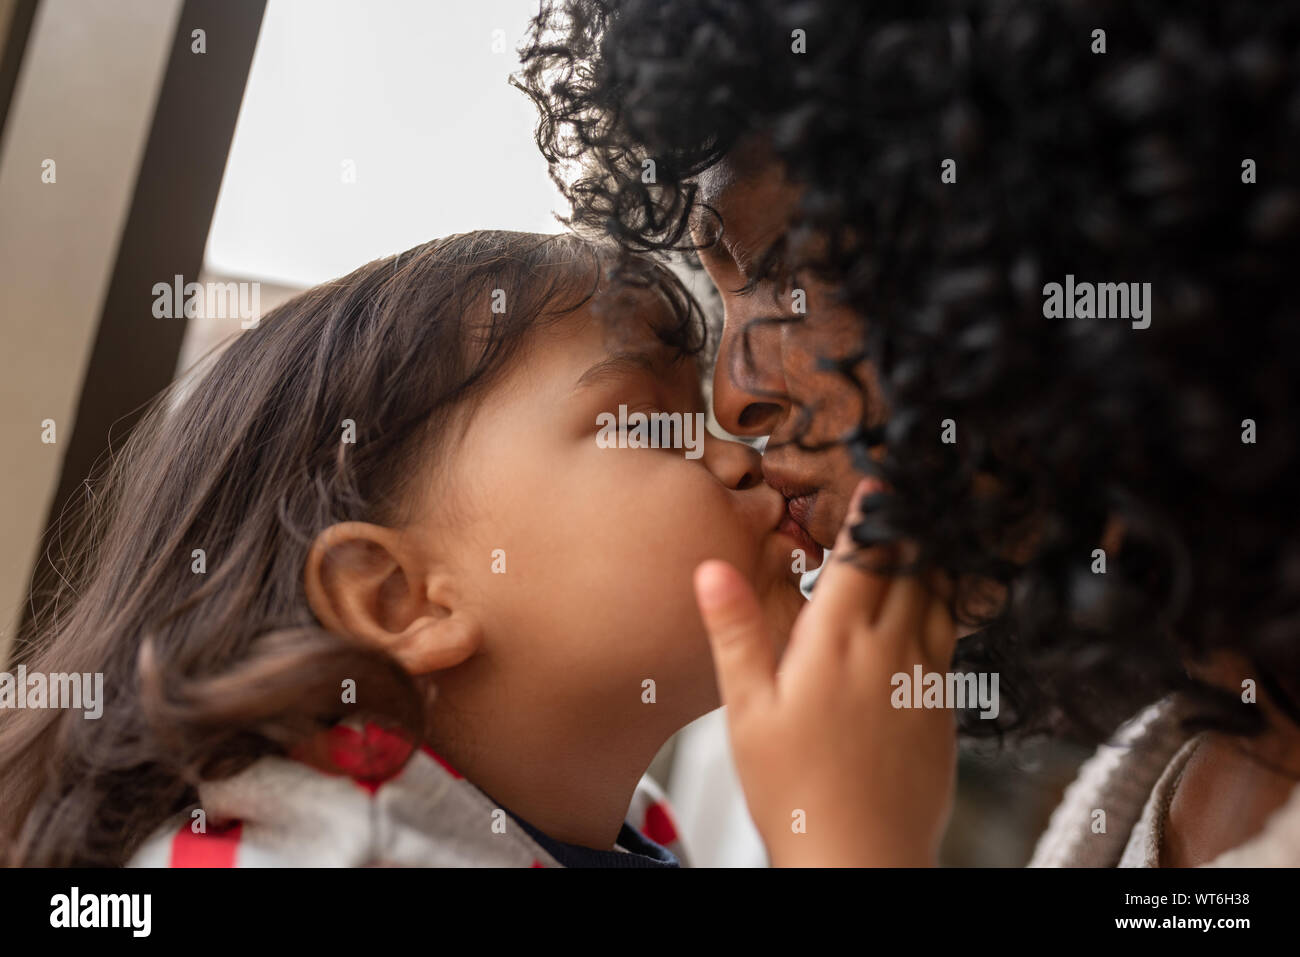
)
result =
(1126, 166)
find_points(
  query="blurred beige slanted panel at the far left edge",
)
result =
(84, 99)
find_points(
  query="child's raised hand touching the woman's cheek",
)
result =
(833, 773)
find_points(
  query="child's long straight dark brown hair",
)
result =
(206, 673)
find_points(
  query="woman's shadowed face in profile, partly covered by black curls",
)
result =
(772, 386)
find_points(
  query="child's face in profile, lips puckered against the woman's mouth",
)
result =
(575, 560)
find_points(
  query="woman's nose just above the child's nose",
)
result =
(749, 388)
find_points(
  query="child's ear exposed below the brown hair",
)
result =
(365, 582)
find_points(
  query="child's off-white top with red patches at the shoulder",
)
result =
(387, 811)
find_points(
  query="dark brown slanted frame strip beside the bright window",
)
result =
(135, 356)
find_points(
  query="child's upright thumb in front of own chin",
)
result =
(743, 653)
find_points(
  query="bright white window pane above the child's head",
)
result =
(414, 96)
